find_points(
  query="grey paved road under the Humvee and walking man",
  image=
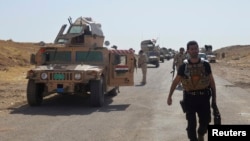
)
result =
(138, 113)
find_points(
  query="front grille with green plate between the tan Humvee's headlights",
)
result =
(58, 76)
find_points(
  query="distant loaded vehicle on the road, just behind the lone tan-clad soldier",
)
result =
(152, 52)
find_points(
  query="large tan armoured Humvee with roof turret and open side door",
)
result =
(77, 63)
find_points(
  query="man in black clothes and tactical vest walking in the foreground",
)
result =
(196, 94)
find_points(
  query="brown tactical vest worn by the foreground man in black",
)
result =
(196, 78)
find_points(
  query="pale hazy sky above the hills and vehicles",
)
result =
(126, 23)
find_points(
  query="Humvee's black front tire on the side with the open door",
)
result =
(96, 93)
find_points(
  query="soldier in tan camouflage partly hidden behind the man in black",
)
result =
(178, 60)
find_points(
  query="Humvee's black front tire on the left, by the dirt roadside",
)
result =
(34, 93)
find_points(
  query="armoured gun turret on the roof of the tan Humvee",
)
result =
(84, 32)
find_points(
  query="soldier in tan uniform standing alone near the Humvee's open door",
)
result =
(142, 63)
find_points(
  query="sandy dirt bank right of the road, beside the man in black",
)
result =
(233, 64)
